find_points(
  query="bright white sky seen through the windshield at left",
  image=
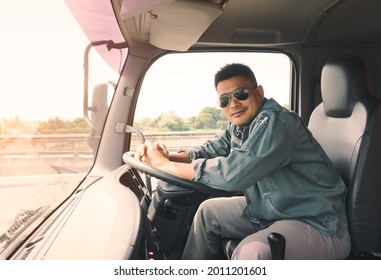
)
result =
(50, 82)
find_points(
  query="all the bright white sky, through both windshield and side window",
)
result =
(49, 83)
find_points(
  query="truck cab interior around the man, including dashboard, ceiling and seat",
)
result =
(124, 209)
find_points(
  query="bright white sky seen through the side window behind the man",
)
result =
(189, 81)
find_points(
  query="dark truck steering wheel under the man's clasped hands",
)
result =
(130, 160)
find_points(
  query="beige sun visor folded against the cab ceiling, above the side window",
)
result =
(173, 25)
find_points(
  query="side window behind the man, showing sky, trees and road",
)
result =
(178, 102)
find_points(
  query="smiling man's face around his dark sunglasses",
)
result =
(241, 112)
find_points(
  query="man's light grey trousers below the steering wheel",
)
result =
(220, 218)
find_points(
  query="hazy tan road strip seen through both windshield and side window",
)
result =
(28, 155)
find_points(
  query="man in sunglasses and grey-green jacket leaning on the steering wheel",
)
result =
(289, 184)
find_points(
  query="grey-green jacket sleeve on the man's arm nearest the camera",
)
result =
(267, 148)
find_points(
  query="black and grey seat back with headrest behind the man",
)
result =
(347, 124)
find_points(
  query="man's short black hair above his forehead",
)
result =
(234, 70)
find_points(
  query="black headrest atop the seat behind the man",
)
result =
(343, 81)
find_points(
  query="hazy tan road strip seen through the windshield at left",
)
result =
(28, 155)
